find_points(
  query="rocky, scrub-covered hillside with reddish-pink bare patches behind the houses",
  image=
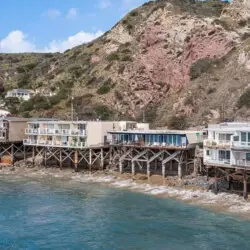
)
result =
(176, 63)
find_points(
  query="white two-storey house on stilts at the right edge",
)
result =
(228, 144)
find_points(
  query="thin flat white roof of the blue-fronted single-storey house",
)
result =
(157, 132)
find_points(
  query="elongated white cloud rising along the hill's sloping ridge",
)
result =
(72, 41)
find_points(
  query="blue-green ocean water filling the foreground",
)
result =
(55, 214)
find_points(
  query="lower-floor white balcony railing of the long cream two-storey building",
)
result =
(49, 143)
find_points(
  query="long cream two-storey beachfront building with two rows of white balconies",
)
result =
(73, 134)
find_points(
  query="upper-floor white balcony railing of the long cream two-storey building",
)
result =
(66, 132)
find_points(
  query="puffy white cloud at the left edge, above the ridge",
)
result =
(16, 41)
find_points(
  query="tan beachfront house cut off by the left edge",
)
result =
(12, 129)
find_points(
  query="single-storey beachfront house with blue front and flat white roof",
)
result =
(157, 138)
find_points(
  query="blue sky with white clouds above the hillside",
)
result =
(57, 25)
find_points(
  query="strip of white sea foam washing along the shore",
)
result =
(231, 202)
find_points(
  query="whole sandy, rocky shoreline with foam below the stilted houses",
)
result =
(197, 195)
